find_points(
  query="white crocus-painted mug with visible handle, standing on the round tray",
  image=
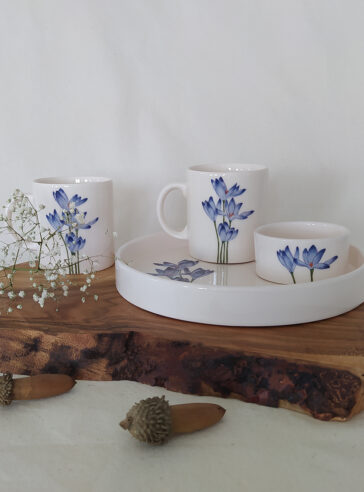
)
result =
(224, 205)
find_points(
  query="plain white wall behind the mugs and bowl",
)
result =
(140, 89)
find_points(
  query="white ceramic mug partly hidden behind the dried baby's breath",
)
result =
(80, 209)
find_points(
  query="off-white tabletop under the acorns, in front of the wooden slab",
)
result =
(74, 443)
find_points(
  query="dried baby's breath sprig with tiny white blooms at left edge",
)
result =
(27, 246)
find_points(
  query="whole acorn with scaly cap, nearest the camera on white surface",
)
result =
(154, 421)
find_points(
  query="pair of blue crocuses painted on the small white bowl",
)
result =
(312, 259)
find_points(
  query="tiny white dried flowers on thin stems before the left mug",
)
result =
(50, 247)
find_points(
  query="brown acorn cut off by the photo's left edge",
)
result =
(33, 387)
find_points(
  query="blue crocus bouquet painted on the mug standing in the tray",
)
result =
(223, 213)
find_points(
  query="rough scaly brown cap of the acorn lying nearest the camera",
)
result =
(149, 420)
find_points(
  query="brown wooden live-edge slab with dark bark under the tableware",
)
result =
(315, 368)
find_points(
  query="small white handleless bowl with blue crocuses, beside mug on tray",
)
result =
(299, 252)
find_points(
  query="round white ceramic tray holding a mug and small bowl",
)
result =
(227, 294)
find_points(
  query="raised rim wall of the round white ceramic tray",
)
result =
(239, 306)
